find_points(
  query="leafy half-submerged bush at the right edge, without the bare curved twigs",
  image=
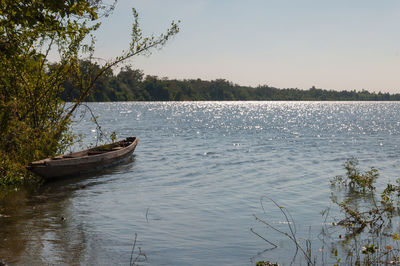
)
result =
(369, 237)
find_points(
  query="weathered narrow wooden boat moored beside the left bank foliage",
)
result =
(85, 161)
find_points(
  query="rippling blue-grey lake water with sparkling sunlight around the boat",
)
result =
(196, 179)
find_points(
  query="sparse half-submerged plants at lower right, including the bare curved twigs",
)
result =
(362, 232)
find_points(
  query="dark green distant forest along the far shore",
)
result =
(133, 85)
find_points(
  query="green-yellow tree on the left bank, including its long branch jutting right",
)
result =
(34, 120)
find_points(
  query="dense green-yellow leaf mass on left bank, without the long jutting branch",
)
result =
(33, 124)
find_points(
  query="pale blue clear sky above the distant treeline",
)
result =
(341, 44)
